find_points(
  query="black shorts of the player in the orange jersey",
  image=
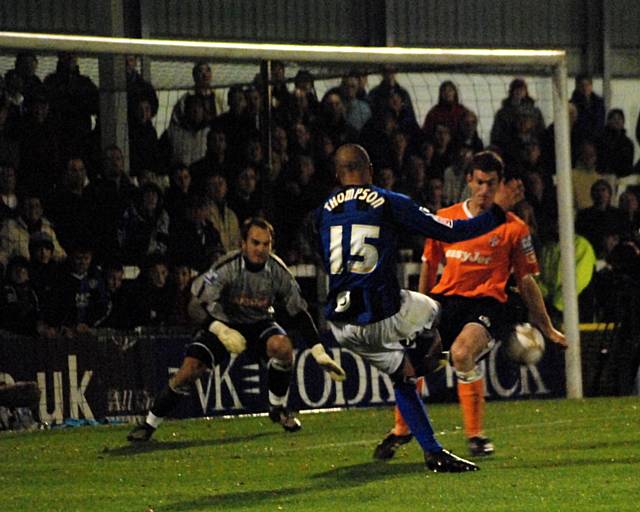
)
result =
(459, 311)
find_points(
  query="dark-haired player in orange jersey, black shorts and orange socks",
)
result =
(472, 291)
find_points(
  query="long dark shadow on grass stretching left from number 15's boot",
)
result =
(333, 479)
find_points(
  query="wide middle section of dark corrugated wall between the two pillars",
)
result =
(489, 23)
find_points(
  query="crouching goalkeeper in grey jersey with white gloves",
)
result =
(235, 300)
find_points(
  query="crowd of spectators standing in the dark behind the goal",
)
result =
(72, 220)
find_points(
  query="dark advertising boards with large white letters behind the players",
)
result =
(114, 375)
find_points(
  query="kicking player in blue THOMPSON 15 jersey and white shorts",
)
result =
(367, 312)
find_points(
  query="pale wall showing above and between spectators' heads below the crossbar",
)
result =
(481, 92)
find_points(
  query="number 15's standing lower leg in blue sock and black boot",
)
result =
(437, 459)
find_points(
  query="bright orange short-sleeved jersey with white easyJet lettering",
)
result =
(480, 267)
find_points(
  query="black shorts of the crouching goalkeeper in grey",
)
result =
(207, 348)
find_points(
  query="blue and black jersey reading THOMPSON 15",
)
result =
(358, 228)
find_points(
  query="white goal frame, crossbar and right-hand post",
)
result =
(553, 62)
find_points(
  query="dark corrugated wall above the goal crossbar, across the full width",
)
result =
(487, 23)
